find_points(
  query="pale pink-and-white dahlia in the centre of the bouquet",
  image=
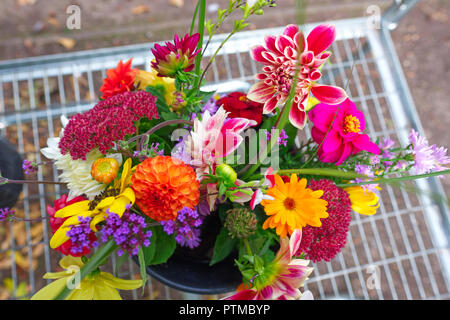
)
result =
(214, 137)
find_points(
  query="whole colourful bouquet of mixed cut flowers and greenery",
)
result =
(157, 156)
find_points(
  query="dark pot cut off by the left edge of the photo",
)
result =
(11, 168)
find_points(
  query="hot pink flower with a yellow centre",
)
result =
(345, 124)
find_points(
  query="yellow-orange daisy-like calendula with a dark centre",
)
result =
(293, 206)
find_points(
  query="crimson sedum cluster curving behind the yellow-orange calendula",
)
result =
(325, 242)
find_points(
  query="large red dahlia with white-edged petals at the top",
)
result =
(280, 55)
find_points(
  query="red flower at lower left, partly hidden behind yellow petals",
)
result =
(55, 223)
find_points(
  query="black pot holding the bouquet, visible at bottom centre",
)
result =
(188, 270)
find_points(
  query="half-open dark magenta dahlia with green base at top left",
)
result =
(176, 56)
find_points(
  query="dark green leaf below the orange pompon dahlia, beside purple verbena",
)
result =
(161, 248)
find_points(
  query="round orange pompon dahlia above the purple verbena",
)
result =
(164, 185)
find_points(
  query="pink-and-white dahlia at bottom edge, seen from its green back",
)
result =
(283, 277)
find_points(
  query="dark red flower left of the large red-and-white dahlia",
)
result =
(239, 106)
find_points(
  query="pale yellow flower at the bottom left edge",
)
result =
(96, 286)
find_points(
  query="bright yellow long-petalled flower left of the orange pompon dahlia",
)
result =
(115, 199)
